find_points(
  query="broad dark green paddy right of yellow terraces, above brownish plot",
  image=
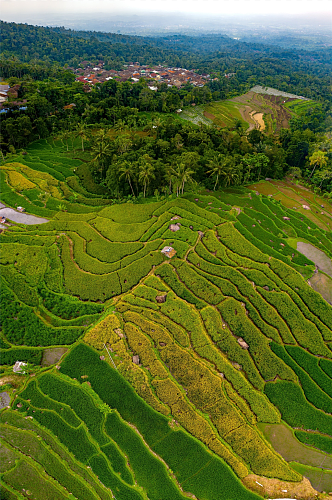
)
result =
(288, 397)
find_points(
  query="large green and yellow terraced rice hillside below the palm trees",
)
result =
(170, 366)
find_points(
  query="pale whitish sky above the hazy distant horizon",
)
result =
(15, 10)
